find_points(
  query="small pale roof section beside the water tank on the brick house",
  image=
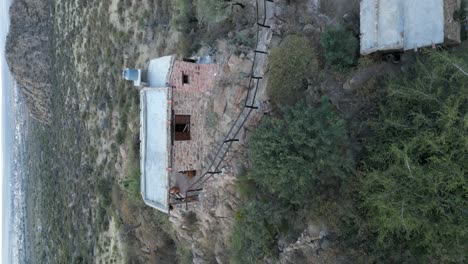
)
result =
(159, 71)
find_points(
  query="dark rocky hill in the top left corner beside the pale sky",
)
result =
(28, 54)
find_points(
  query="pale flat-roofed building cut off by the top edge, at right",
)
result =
(391, 25)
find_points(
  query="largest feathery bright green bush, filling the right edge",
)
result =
(415, 190)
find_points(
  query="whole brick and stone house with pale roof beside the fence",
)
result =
(173, 107)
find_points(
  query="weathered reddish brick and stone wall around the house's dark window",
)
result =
(192, 99)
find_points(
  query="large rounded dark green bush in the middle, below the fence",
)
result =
(302, 154)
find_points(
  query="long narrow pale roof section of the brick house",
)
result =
(155, 146)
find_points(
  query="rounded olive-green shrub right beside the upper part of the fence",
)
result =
(291, 64)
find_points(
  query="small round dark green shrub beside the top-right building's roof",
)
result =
(340, 47)
